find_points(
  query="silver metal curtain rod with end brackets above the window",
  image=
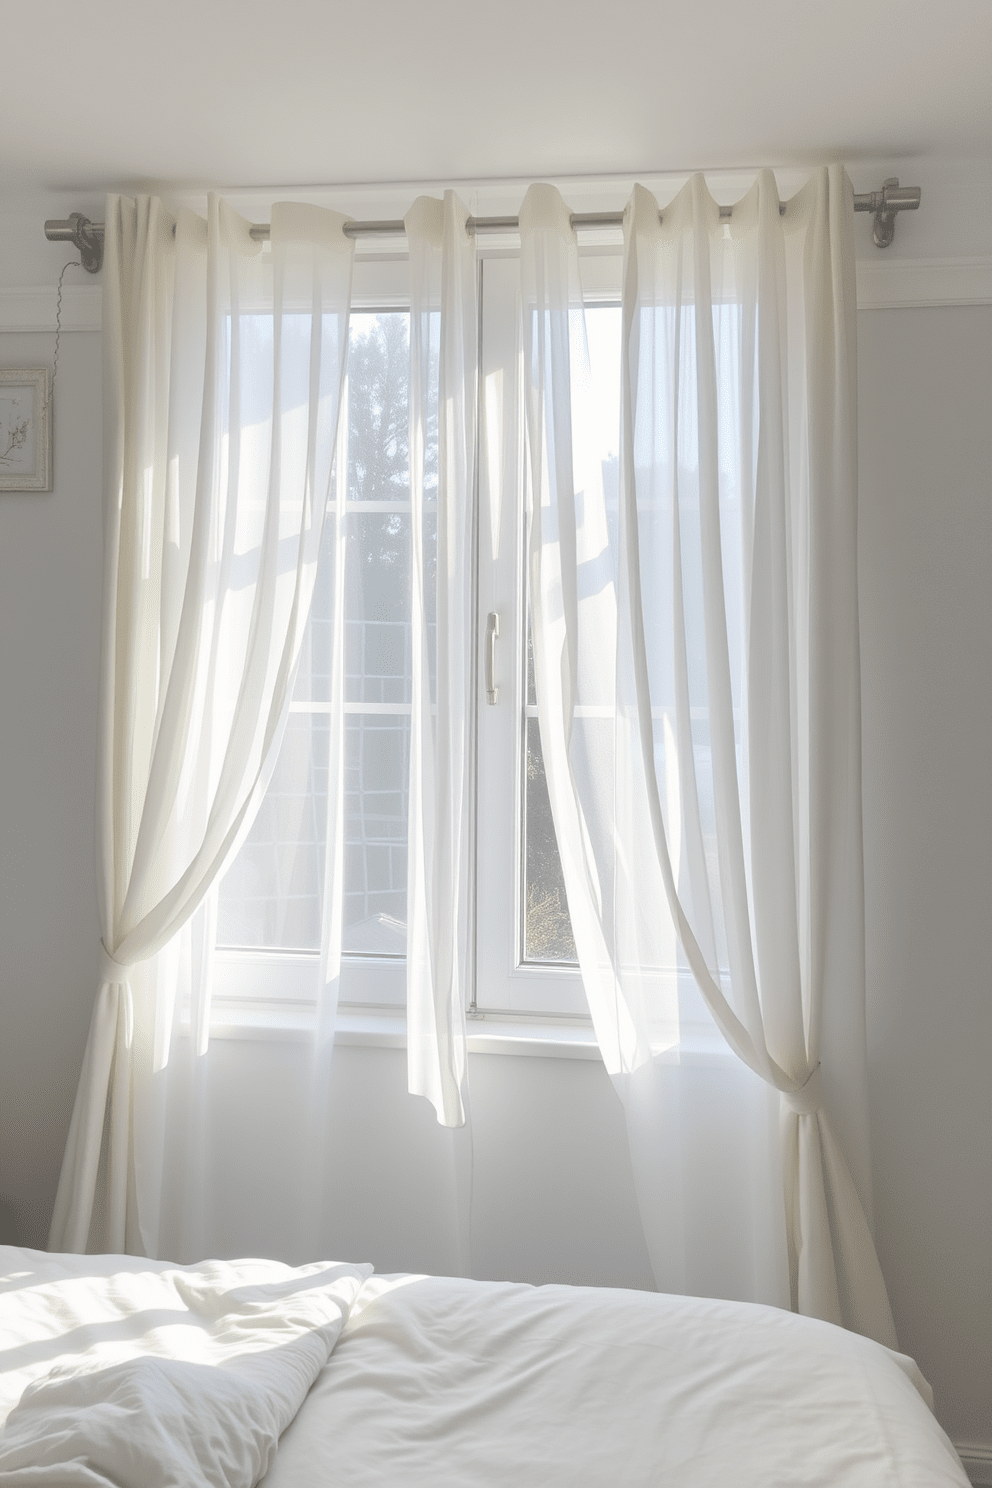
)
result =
(88, 236)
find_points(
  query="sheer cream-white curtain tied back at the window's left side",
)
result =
(224, 374)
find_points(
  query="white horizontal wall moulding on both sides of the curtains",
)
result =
(895, 285)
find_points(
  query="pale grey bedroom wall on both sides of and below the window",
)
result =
(554, 1194)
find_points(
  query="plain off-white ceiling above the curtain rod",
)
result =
(306, 93)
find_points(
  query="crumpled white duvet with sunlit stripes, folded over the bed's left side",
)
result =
(118, 1373)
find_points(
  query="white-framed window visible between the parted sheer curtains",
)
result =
(271, 899)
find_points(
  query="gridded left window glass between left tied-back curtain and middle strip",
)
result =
(273, 895)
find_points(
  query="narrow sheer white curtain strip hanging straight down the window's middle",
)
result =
(444, 392)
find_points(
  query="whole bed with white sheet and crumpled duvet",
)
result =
(124, 1373)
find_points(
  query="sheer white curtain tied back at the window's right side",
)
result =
(697, 661)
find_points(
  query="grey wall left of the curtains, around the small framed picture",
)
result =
(50, 621)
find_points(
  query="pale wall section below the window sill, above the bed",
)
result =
(553, 1197)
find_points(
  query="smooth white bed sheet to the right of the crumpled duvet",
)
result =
(468, 1385)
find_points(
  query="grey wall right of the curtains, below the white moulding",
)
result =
(926, 429)
